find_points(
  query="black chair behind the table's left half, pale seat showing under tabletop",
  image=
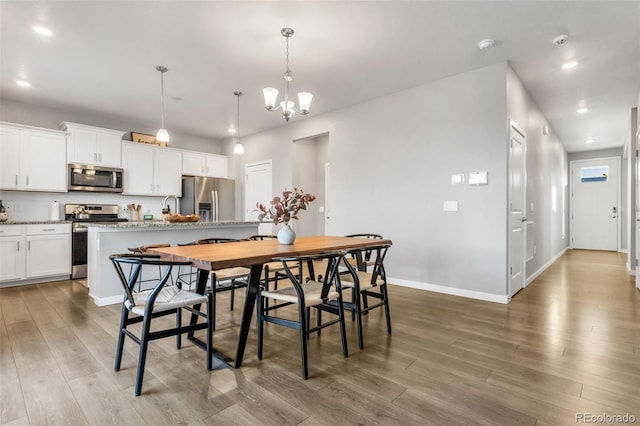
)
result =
(228, 279)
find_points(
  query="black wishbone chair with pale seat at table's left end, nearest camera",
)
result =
(164, 298)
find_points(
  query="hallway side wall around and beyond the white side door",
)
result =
(547, 168)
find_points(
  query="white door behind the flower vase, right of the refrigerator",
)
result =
(257, 189)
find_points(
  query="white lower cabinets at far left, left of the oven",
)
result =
(34, 252)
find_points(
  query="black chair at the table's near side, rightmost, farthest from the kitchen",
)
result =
(365, 284)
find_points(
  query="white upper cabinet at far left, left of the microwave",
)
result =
(32, 158)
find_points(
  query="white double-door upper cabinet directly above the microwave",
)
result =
(93, 145)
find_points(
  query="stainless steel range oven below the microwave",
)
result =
(80, 215)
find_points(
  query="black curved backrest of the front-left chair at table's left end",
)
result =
(135, 263)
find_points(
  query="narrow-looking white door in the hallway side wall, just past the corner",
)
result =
(517, 203)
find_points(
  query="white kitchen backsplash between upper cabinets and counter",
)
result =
(37, 205)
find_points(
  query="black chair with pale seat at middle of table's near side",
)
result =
(314, 292)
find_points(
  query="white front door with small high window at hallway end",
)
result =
(595, 215)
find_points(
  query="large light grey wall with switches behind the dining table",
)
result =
(391, 165)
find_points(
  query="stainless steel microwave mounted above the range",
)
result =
(95, 178)
